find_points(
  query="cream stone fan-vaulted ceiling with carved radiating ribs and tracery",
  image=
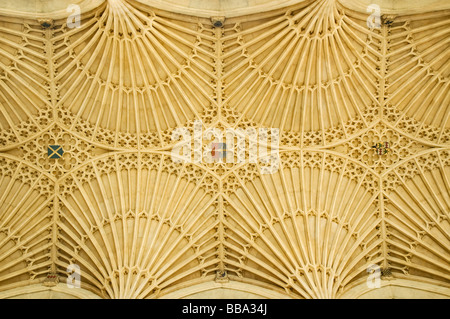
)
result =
(111, 92)
